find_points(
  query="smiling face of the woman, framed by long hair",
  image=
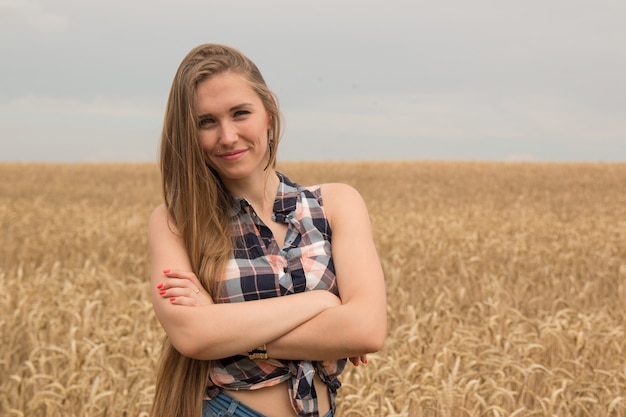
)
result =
(233, 126)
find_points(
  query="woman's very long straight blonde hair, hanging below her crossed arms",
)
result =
(199, 205)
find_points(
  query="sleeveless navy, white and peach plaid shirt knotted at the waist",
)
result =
(261, 269)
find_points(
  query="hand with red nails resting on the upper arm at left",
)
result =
(183, 288)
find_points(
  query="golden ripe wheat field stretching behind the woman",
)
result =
(506, 288)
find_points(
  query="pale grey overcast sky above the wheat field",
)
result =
(356, 79)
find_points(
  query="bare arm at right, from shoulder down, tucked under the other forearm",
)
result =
(359, 325)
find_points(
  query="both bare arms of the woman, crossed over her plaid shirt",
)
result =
(314, 325)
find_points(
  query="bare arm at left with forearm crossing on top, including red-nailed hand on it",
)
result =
(208, 330)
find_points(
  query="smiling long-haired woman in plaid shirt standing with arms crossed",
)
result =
(259, 309)
